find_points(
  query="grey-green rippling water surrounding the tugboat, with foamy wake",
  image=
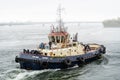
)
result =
(17, 37)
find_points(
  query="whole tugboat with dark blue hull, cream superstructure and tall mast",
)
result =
(60, 52)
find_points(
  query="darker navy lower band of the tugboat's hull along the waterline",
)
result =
(48, 65)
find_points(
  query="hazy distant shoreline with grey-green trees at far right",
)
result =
(105, 24)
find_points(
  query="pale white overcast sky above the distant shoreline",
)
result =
(46, 10)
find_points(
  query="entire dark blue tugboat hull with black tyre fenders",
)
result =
(38, 62)
